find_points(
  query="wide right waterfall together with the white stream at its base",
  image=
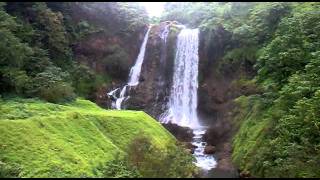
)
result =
(182, 105)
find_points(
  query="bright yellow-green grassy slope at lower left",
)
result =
(51, 140)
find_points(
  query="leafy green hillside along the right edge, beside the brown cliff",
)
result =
(281, 139)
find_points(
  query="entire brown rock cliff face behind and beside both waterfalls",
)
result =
(215, 93)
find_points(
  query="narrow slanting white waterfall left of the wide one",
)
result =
(134, 76)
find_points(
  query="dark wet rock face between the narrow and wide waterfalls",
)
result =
(151, 95)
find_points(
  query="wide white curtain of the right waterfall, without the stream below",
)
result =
(182, 107)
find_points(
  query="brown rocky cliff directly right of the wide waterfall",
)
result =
(217, 91)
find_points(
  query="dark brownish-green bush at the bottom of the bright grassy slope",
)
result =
(154, 162)
